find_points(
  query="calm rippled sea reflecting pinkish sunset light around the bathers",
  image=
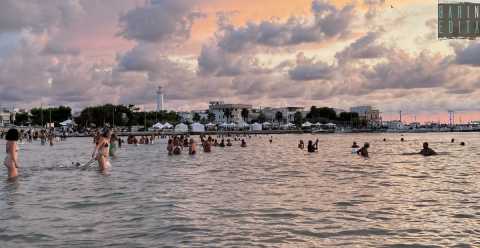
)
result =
(260, 196)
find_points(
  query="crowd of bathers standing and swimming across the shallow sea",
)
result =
(106, 144)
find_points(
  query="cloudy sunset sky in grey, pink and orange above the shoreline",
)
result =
(265, 52)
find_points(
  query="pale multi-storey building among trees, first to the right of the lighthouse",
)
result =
(225, 112)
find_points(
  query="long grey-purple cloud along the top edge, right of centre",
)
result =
(327, 22)
